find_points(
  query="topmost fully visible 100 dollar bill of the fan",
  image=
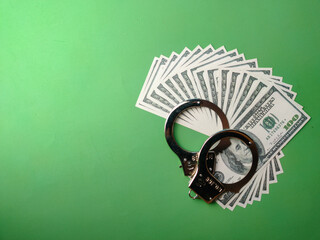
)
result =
(271, 122)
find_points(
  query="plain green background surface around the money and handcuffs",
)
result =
(79, 161)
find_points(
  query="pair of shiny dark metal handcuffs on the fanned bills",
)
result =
(200, 166)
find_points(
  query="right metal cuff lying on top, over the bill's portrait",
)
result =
(204, 184)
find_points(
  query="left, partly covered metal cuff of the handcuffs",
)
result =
(189, 159)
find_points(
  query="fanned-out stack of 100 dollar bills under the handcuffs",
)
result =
(254, 101)
